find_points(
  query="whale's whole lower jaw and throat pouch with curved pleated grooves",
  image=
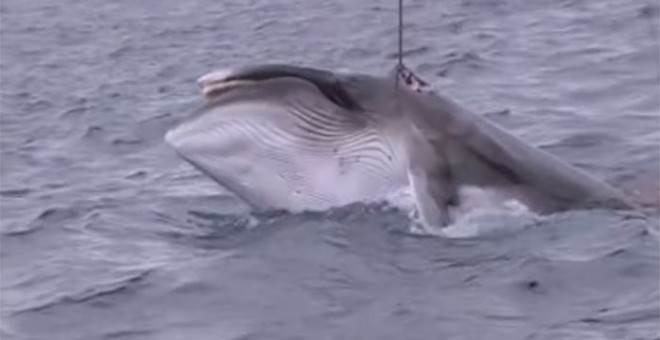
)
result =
(294, 150)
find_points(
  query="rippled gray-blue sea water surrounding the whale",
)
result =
(107, 234)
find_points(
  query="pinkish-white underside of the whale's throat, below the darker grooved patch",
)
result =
(265, 158)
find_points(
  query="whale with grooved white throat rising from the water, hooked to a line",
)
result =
(300, 138)
